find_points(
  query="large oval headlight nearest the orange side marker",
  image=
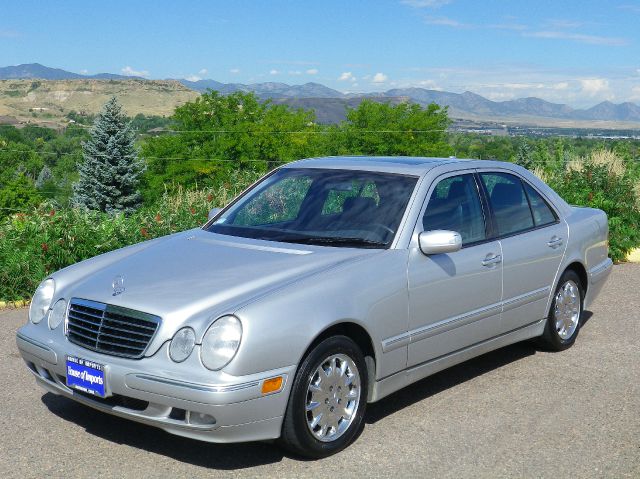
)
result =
(221, 342)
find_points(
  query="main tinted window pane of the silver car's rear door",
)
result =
(508, 202)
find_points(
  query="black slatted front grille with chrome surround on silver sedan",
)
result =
(110, 329)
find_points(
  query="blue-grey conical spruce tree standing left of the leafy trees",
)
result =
(110, 173)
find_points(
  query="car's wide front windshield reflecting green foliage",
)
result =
(327, 207)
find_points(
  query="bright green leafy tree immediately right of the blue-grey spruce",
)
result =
(219, 134)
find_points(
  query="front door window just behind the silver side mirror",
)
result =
(454, 205)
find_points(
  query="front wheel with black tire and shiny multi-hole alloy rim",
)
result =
(297, 435)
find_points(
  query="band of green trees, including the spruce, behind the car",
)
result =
(109, 167)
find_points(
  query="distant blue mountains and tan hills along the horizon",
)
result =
(160, 96)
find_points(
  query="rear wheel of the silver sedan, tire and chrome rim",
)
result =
(563, 326)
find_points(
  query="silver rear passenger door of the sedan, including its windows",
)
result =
(533, 241)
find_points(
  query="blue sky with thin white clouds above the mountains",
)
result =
(568, 51)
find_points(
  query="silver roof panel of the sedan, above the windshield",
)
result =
(412, 165)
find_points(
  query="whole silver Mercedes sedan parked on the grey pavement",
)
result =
(327, 285)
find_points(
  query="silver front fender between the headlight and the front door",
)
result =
(372, 293)
